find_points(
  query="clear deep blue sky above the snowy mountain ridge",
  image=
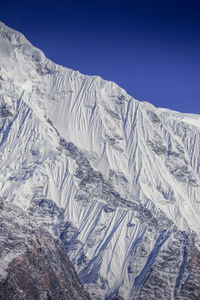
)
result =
(150, 48)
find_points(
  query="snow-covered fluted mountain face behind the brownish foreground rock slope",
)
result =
(116, 179)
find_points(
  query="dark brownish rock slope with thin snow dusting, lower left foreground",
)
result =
(39, 267)
